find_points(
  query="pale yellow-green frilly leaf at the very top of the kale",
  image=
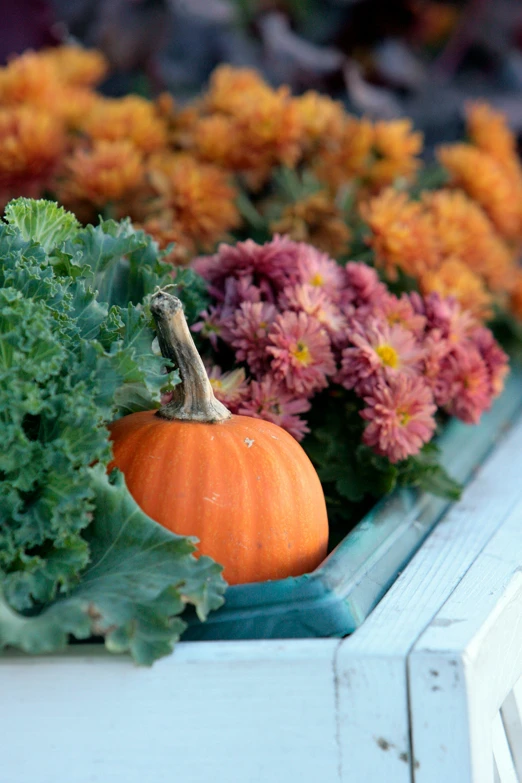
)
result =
(42, 221)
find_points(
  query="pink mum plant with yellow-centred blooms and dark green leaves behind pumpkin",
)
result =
(333, 356)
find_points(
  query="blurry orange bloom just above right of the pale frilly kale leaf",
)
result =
(103, 174)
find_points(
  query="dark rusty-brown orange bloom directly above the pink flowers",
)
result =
(315, 220)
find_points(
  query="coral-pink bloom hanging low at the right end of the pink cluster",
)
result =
(471, 387)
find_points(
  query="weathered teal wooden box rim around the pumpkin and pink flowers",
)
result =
(336, 598)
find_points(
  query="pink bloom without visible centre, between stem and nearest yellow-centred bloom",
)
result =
(249, 333)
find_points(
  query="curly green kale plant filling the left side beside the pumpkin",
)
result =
(76, 352)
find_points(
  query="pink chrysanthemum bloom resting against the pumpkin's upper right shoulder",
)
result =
(270, 401)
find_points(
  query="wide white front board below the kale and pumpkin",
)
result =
(248, 712)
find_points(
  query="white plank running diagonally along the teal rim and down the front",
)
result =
(371, 664)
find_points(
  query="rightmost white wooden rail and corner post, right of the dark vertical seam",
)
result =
(478, 632)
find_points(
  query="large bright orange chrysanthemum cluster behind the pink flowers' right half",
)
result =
(445, 241)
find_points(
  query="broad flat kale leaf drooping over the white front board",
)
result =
(140, 579)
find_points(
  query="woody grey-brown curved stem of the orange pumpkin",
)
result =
(193, 398)
